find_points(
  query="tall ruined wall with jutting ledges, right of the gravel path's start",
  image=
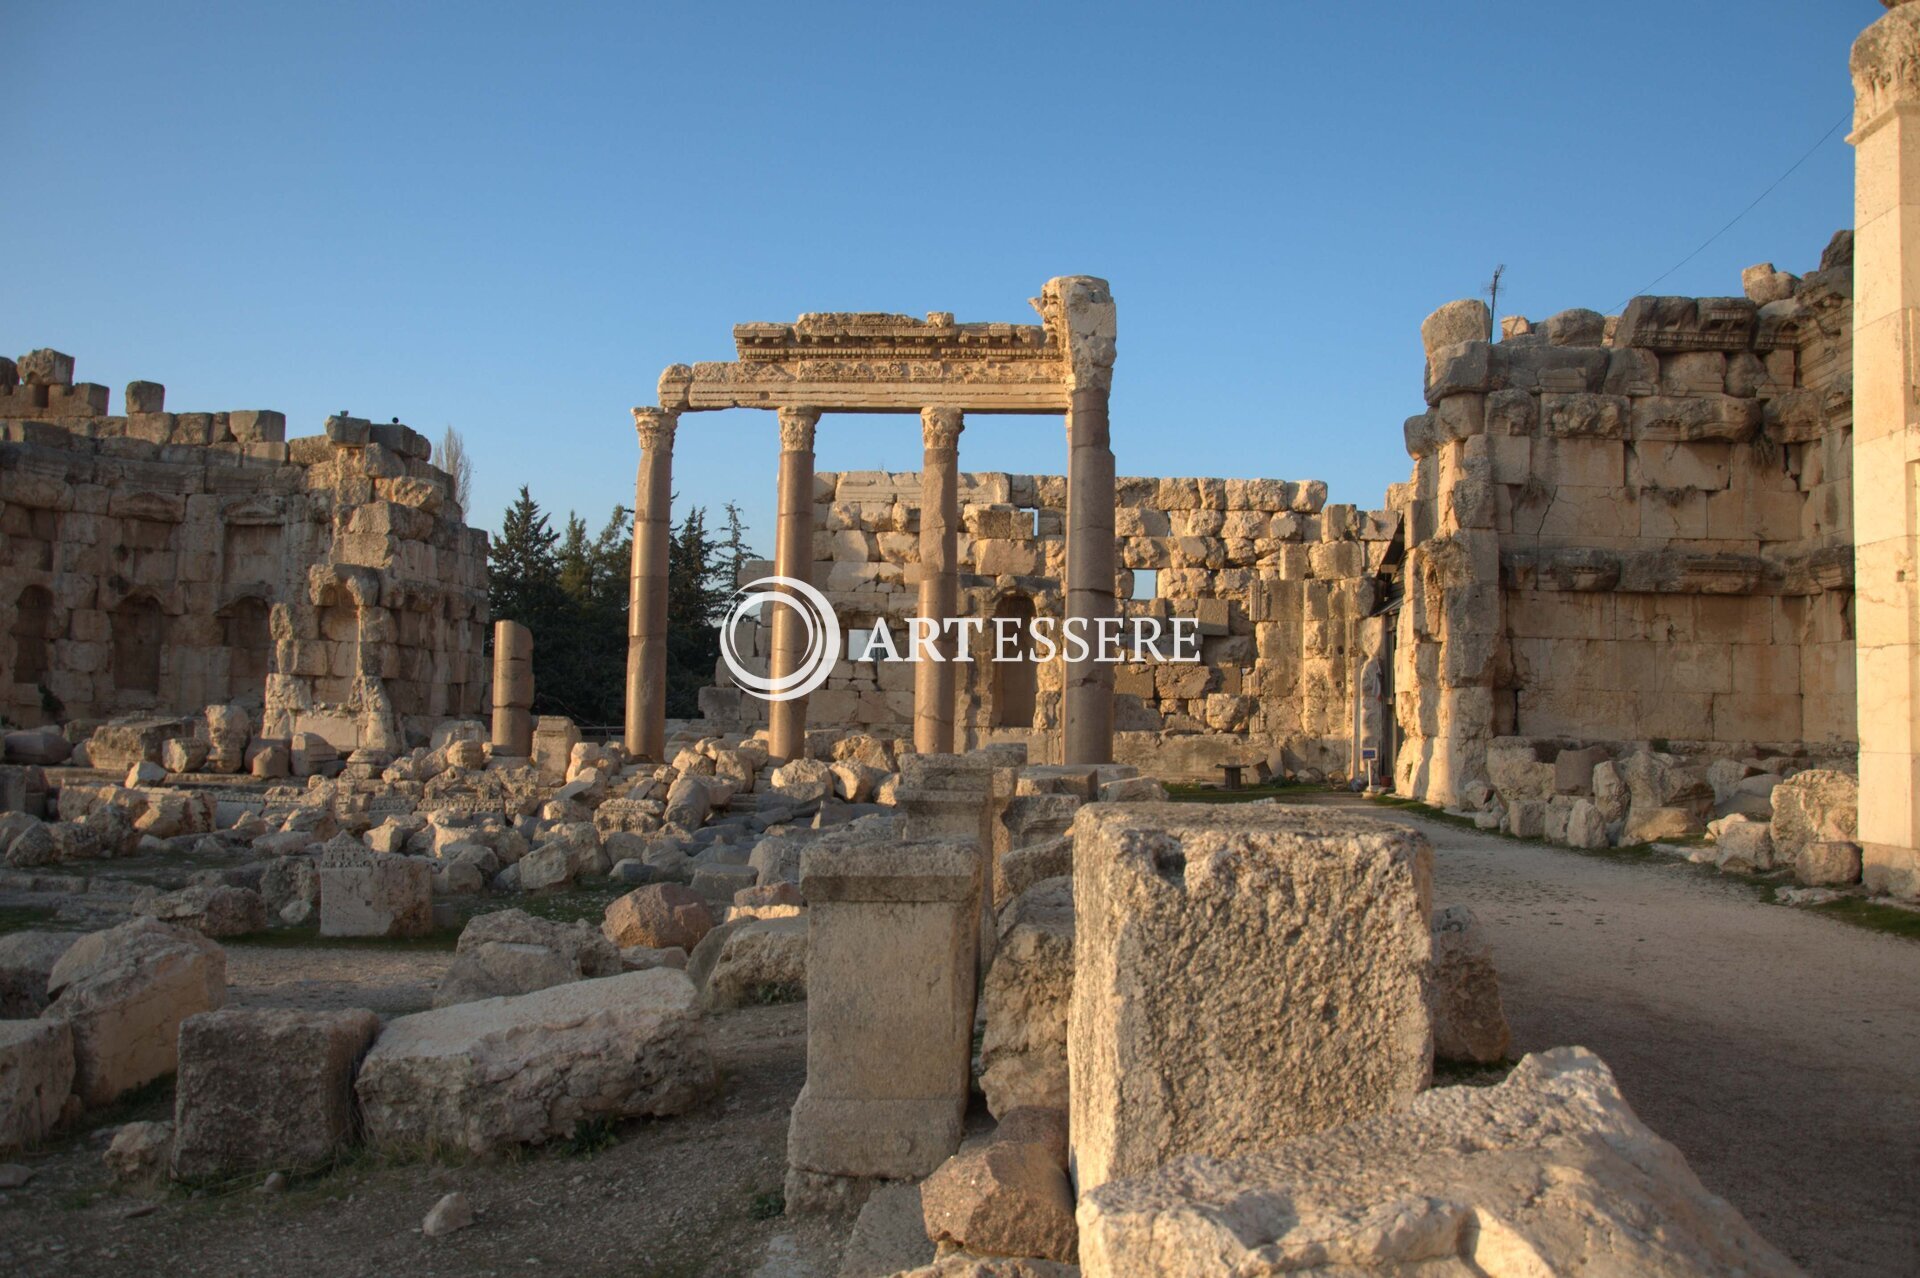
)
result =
(1629, 529)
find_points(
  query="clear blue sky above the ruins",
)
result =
(512, 218)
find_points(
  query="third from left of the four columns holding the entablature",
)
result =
(940, 577)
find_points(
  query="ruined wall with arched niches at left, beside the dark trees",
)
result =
(168, 561)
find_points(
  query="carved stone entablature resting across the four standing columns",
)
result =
(859, 362)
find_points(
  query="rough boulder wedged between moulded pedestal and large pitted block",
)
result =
(1026, 997)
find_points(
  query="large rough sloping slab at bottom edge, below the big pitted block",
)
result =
(1548, 1173)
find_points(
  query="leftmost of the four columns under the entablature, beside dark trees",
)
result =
(646, 621)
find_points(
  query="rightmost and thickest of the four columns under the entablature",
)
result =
(1080, 316)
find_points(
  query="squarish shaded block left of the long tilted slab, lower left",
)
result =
(266, 1089)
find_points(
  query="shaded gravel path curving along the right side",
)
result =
(1777, 1049)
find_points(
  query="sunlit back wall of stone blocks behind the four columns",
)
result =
(1278, 580)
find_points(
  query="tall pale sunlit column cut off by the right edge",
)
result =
(1886, 444)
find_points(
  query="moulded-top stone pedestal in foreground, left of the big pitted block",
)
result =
(890, 1014)
